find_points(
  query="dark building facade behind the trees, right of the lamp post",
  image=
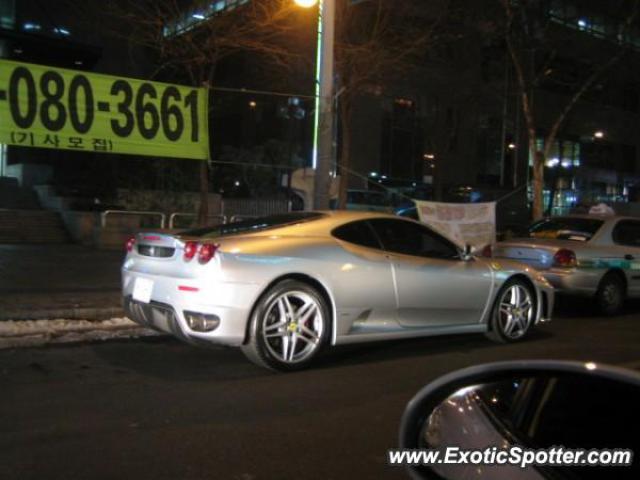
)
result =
(461, 121)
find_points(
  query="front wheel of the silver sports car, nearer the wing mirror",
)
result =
(514, 312)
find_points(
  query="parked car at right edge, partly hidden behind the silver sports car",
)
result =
(585, 255)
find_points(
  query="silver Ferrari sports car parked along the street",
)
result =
(283, 287)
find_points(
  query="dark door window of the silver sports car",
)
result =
(410, 238)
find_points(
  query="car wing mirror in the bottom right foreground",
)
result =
(524, 420)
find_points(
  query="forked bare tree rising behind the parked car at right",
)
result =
(532, 50)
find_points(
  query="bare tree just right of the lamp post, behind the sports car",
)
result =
(377, 41)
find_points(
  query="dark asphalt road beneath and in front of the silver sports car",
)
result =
(163, 410)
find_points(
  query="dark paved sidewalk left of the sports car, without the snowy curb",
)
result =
(59, 281)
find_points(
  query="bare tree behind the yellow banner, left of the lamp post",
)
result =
(189, 40)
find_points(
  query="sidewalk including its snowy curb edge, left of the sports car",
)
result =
(61, 294)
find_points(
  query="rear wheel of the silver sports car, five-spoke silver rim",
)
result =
(289, 326)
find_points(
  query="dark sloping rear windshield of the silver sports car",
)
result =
(254, 225)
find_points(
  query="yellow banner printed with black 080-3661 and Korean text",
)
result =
(51, 107)
